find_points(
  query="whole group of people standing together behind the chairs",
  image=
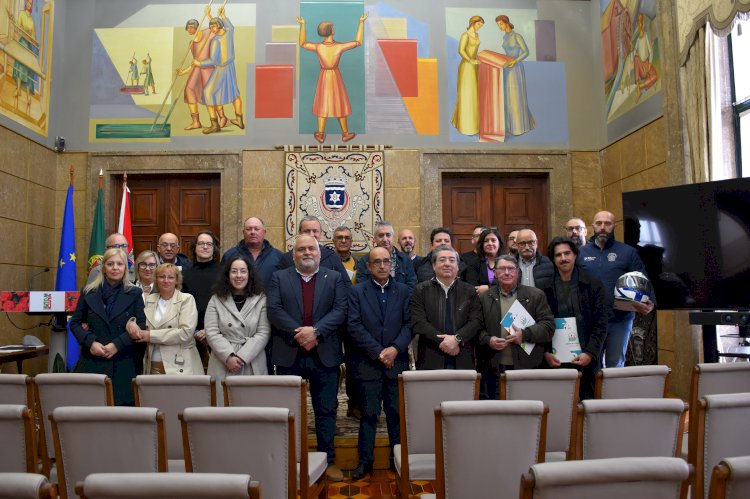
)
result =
(261, 311)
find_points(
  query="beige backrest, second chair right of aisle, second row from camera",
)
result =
(630, 428)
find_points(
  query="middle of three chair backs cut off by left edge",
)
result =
(17, 437)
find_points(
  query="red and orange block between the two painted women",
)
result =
(491, 96)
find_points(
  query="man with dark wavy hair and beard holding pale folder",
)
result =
(573, 293)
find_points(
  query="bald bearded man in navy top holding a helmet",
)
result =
(606, 259)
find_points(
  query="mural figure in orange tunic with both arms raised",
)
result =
(331, 100)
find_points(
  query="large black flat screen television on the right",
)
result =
(695, 242)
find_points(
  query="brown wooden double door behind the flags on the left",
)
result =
(182, 204)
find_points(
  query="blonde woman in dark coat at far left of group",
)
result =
(106, 309)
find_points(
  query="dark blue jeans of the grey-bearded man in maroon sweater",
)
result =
(323, 389)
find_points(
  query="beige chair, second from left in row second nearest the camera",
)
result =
(106, 440)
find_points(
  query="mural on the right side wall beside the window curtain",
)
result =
(631, 54)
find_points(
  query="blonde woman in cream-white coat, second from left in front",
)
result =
(171, 316)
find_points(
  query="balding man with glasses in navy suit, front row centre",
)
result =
(380, 331)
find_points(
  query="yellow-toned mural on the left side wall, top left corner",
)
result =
(26, 61)
